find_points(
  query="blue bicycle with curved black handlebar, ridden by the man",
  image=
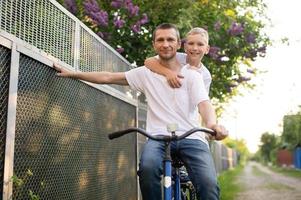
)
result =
(167, 163)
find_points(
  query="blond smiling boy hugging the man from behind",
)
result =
(196, 46)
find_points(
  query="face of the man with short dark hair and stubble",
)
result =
(166, 43)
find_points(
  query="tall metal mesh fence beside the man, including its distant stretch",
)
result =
(53, 131)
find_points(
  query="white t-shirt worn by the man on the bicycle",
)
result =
(168, 105)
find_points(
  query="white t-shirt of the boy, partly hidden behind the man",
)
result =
(182, 57)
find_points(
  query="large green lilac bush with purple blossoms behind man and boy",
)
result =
(235, 29)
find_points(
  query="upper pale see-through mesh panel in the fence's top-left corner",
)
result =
(41, 24)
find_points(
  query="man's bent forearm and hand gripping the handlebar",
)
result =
(207, 113)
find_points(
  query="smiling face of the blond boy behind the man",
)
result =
(196, 46)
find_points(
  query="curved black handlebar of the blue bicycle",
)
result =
(159, 137)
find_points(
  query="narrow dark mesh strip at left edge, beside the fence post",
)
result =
(4, 85)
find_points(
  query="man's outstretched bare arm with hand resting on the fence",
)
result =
(93, 77)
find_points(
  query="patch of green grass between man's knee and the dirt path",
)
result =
(228, 184)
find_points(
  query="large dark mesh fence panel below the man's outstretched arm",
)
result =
(61, 145)
